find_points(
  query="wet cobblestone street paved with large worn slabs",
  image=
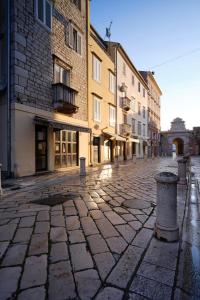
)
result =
(95, 238)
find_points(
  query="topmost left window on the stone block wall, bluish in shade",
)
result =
(44, 12)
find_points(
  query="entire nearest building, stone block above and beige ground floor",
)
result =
(46, 94)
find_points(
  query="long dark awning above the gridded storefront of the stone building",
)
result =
(59, 125)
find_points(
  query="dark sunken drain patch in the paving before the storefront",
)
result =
(55, 199)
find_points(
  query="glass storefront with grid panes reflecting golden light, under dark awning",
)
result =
(66, 149)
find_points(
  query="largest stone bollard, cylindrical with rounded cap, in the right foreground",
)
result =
(166, 227)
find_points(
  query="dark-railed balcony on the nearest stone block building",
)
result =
(65, 99)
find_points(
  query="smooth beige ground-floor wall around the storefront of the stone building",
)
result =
(23, 137)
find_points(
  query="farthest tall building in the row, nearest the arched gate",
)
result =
(154, 94)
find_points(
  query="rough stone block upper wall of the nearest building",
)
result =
(34, 47)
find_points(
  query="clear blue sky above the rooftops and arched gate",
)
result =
(153, 32)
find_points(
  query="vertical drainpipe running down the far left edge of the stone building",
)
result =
(8, 92)
